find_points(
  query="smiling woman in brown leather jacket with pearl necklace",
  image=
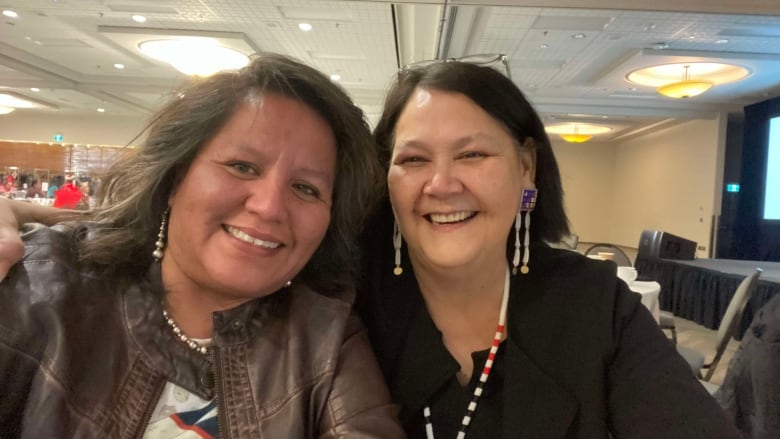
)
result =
(223, 309)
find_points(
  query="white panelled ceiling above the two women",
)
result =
(66, 49)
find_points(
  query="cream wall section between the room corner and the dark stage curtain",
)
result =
(670, 180)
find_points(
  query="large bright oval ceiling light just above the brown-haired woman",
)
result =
(194, 55)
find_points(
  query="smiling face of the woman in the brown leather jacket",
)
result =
(254, 204)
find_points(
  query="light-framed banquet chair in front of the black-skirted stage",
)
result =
(726, 330)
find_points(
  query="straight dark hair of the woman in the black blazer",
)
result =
(500, 98)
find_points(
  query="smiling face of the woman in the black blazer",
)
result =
(455, 179)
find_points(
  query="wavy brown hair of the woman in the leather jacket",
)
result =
(136, 187)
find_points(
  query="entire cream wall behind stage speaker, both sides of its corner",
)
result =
(669, 179)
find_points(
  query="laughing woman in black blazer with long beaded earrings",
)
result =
(481, 328)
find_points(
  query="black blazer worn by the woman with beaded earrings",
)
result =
(583, 357)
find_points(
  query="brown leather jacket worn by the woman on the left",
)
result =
(84, 356)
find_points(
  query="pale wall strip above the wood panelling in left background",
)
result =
(97, 129)
